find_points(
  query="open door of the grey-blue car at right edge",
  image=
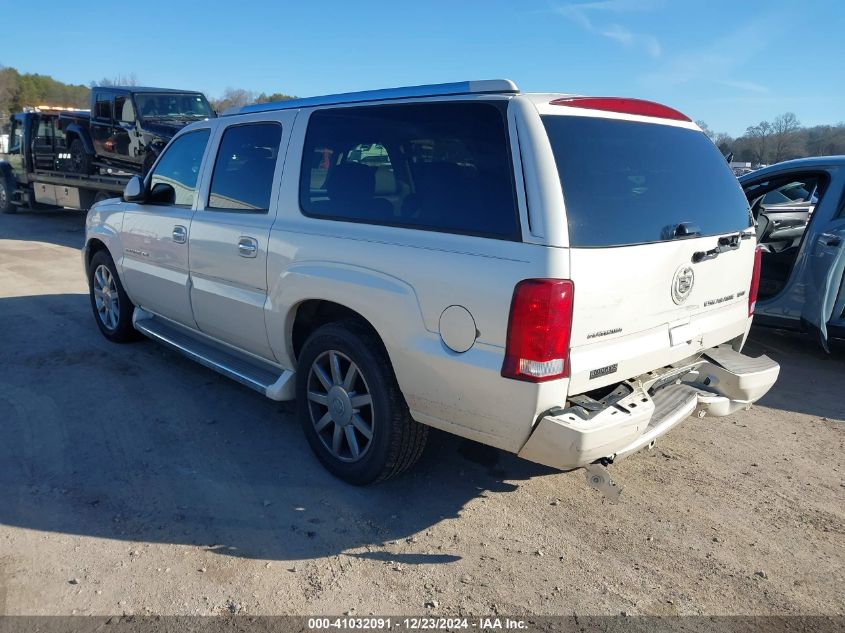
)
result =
(825, 292)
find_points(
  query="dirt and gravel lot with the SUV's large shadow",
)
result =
(134, 481)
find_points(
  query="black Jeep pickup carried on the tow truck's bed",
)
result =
(128, 126)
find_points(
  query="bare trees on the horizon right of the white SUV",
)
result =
(782, 138)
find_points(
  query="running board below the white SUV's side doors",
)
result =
(264, 377)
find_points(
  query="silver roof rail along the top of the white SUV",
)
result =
(484, 86)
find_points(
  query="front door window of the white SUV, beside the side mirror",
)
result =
(174, 179)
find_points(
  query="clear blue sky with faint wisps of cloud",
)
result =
(729, 63)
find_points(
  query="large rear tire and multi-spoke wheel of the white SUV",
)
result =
(339, 407)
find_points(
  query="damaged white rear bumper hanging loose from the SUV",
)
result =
(642, 409)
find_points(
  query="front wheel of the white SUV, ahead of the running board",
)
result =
(109, 302)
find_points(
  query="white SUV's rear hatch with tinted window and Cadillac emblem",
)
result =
(661, 246)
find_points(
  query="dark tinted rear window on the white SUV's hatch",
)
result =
(633, 183)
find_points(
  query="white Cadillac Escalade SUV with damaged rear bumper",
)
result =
(562, 277)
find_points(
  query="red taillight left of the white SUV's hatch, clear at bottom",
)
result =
(539, 328)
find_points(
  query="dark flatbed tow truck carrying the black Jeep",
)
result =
(36, 172)
